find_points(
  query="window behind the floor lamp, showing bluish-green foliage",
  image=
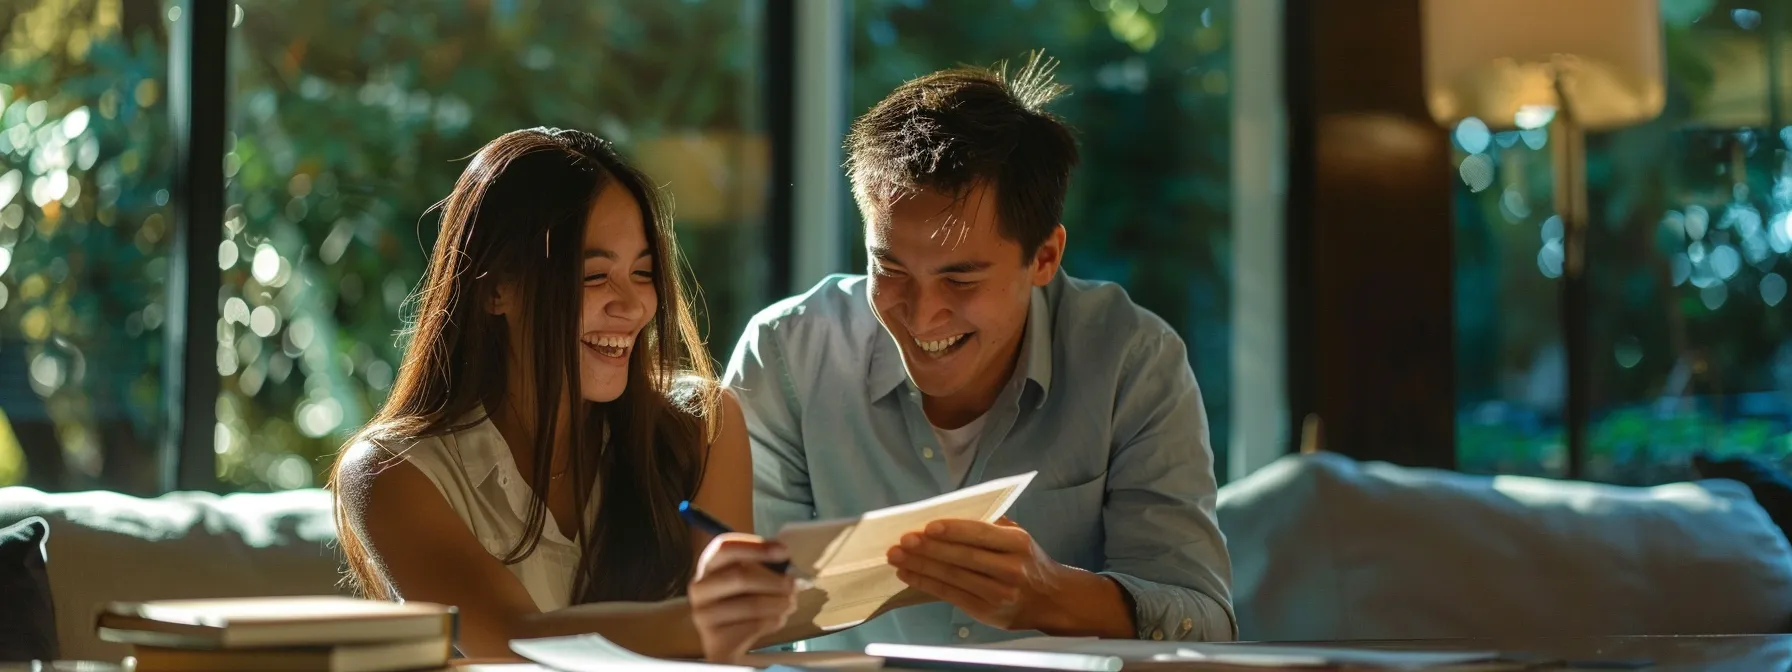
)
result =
(1689, 255)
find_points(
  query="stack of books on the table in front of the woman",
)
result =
(282, 633)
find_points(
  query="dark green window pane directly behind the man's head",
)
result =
(1151, 103)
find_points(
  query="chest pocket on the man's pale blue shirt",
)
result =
(1067, 522)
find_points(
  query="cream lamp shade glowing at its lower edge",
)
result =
(1499, 60)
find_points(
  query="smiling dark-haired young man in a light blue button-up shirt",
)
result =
(967, 356)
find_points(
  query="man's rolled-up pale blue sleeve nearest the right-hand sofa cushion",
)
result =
(1164, 540)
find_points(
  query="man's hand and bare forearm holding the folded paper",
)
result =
(999, 576)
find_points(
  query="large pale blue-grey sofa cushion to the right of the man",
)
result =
(1331, 549)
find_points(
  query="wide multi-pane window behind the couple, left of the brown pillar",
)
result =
(349, 119)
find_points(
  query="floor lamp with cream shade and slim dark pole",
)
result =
(1567, 65)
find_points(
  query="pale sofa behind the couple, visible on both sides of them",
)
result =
(1323, 549)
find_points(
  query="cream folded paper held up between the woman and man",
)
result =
(845, 560)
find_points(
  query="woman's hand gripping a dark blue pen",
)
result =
(736, 599)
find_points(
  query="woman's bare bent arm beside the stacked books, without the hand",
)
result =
(429, 555)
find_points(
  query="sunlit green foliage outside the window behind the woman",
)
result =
(349, 123)
